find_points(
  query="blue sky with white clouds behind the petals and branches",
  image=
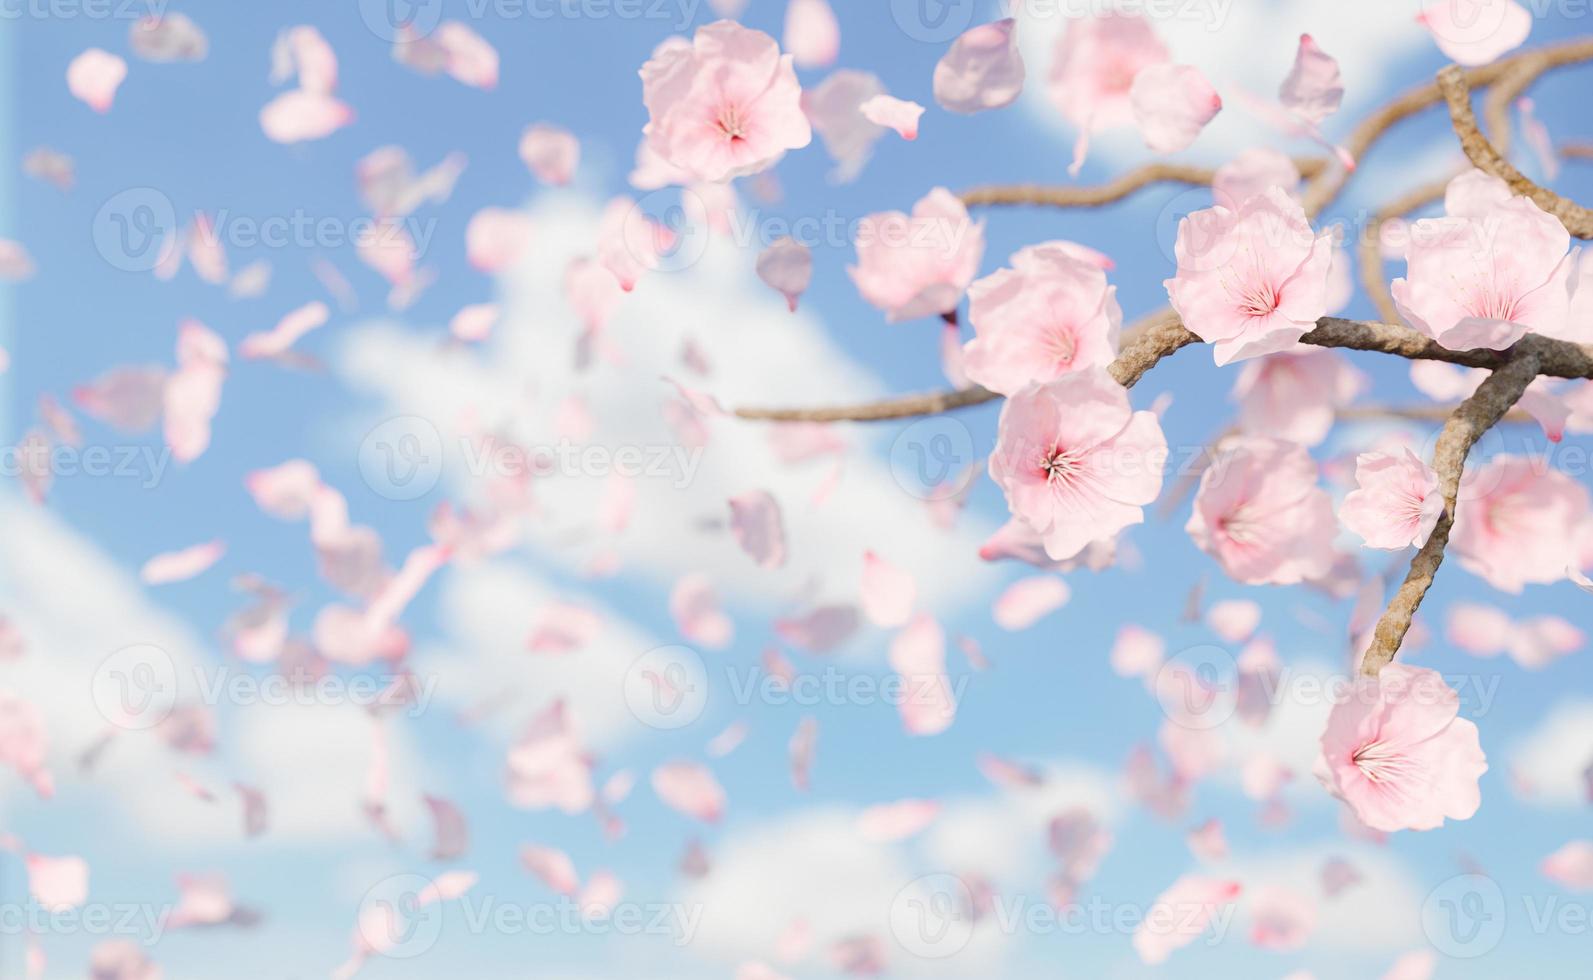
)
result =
(190, 135)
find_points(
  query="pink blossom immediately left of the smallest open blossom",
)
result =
(1261, 514)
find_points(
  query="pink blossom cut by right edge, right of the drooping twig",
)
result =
(1519, 523)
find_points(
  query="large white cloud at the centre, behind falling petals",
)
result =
(759, 355)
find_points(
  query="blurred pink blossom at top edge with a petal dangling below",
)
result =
(1094, 73)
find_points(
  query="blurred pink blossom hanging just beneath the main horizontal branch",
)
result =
(1296, 394)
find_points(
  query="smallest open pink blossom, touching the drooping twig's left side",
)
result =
(1396, 501)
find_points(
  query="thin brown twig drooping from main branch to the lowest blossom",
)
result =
(1476, 417)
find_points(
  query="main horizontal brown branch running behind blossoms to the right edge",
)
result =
(1165, 335)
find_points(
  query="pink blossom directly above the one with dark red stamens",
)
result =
(1049, 315)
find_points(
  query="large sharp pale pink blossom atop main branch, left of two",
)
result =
(1251, 281)
